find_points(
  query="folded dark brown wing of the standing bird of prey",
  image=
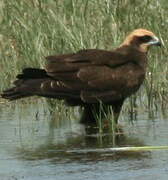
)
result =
(90, 75)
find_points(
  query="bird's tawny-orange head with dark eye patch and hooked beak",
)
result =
(142, 39)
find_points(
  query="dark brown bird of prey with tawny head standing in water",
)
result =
(90, 77)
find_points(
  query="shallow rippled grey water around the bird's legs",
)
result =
(38, 145)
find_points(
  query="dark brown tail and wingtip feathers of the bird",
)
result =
(37, 82)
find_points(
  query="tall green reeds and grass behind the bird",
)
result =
(31, 30)
